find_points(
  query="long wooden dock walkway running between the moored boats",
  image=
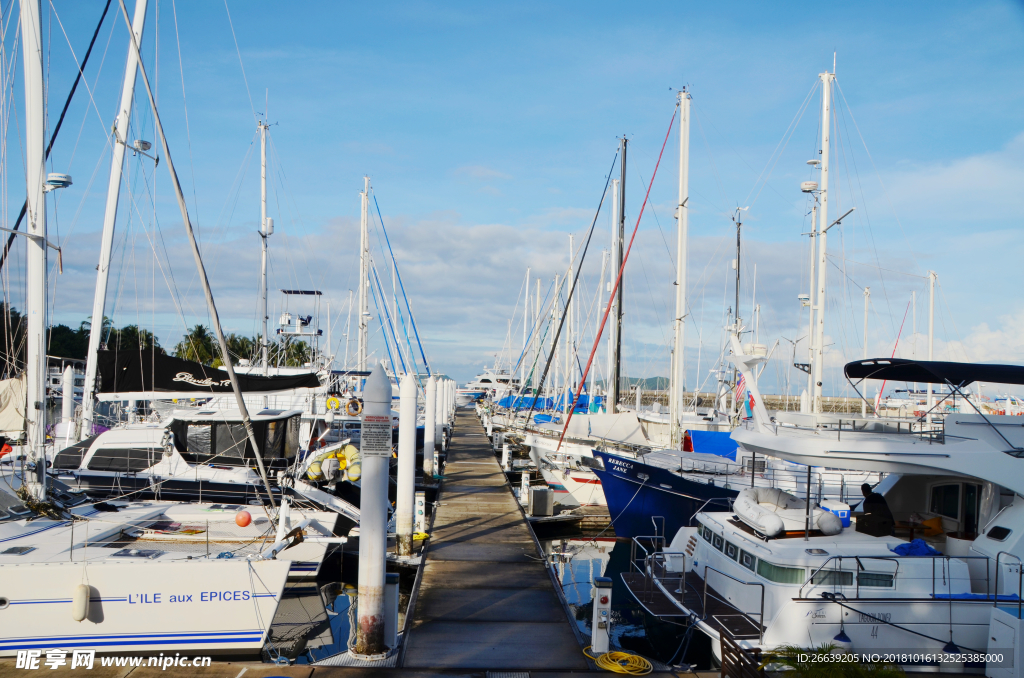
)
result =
(486, 600)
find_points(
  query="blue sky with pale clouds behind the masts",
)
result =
(488, 130)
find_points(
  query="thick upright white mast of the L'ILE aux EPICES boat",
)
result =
(35, 156)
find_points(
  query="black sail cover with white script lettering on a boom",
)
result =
(136, 371)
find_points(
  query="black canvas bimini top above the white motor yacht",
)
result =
(934, 372)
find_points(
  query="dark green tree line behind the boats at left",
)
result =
(199, 345)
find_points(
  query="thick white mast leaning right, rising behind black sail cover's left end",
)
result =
(110, 217)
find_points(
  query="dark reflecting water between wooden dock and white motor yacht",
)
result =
(578, 561)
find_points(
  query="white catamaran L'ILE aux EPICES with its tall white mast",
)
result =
(66, 579)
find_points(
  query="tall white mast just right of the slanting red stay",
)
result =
(678, 377)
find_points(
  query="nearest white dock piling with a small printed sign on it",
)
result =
(375, 450)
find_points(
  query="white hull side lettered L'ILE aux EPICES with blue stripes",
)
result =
(220, 607)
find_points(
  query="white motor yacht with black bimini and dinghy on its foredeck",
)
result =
(945, 577)
